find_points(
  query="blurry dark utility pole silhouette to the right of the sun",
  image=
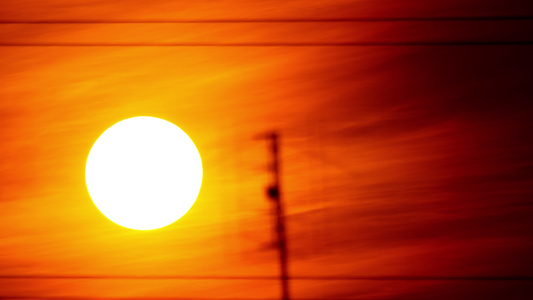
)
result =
(274, 194)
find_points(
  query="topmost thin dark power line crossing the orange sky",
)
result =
(274, 20)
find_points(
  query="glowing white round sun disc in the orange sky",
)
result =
(143, 173)
